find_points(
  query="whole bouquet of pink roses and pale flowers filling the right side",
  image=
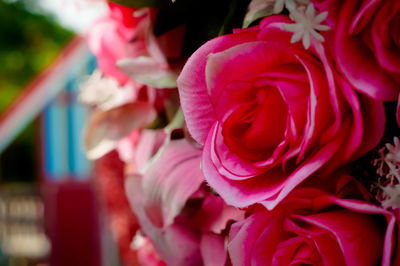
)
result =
(258, 132)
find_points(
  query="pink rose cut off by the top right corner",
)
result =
(366, 44)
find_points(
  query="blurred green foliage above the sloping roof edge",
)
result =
(29, 43)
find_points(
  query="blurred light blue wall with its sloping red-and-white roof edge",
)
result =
(53, 96)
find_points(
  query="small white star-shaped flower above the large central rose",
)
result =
(308, 23)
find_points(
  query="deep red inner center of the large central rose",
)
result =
(255, 128)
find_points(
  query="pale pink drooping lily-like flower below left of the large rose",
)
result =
(186, 224)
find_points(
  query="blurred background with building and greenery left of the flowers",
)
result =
(49, 210)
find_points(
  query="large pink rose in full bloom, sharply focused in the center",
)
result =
(270, 113)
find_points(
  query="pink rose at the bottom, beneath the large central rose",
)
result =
(313, 228)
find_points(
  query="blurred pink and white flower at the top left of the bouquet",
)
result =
(126, 47)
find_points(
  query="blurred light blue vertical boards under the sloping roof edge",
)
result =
(63, 123)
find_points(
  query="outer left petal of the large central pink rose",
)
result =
(198, 111)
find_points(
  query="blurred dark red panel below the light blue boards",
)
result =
(72, 222)
